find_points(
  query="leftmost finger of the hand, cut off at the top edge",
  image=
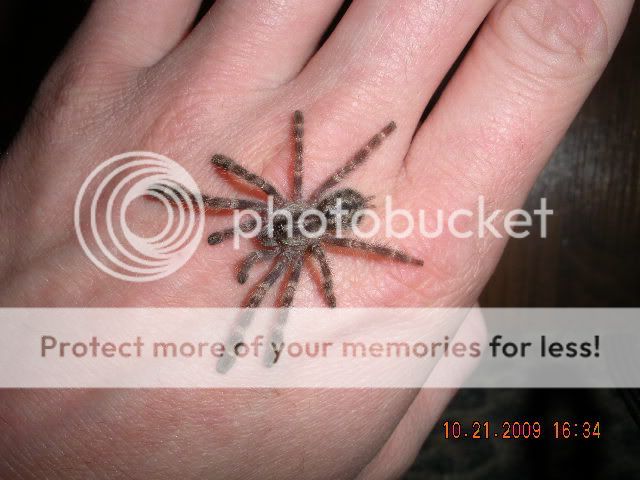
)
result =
(135, 33)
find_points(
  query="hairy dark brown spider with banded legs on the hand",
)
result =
(285, 242)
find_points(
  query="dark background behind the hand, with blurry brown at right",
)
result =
(590, 258)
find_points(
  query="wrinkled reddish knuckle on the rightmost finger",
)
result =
(553, 38)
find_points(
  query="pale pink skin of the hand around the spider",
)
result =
(133, 81)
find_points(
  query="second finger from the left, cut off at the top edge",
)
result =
(257, 43)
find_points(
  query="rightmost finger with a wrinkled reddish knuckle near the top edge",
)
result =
(531, 67)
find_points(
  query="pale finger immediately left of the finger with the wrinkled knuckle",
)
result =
(385, 59)
